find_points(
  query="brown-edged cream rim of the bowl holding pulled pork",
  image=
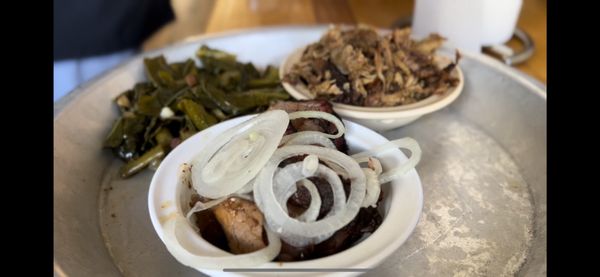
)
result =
(425, 106)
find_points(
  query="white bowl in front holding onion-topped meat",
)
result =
(400, 208)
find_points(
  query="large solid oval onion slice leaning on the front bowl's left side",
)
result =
(236, 156)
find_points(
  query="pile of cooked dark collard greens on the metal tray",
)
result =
(182, 98)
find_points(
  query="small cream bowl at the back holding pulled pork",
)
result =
(379, 119)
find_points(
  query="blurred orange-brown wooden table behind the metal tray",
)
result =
(196, 17)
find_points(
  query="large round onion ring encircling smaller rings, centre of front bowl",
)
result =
(275, 216)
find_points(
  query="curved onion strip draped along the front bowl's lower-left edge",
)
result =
(180, 249)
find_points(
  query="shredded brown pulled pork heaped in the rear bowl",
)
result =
(360, 67)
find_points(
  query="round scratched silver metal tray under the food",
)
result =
(483, 173)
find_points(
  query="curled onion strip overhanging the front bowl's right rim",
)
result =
(406, 143)
